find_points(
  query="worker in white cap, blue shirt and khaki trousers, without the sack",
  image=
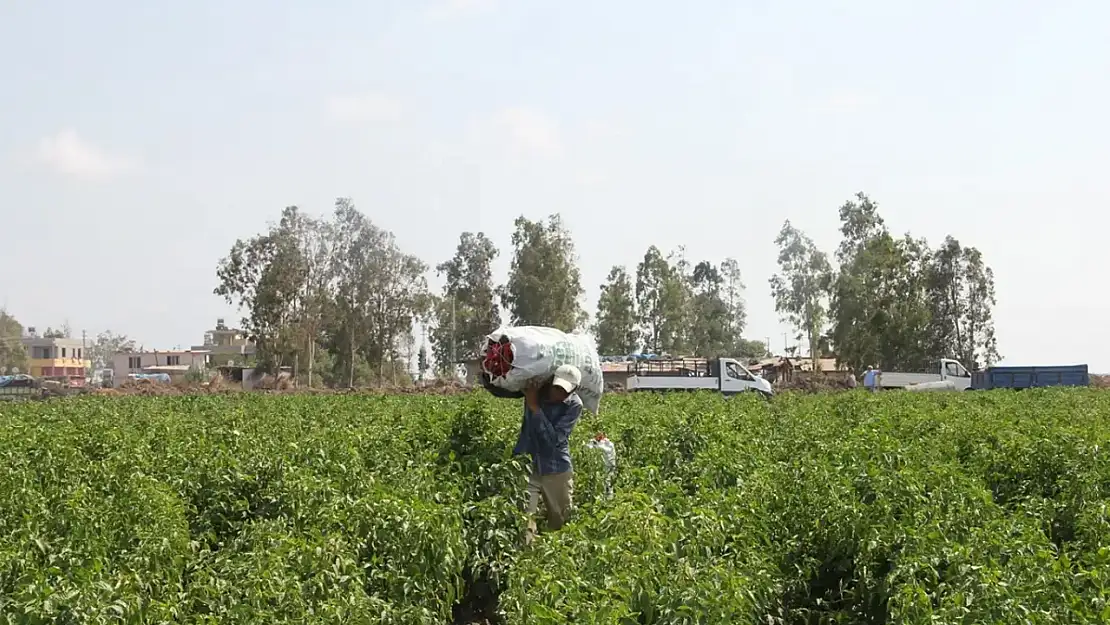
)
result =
(551, 412)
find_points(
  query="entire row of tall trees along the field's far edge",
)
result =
(338, 299)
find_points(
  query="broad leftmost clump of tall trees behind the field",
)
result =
(341, 284)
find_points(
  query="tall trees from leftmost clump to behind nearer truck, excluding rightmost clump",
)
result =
(338, 300)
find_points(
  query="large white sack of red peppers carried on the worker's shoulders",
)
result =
(512, 357)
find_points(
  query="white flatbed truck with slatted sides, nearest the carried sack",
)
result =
(726, 376)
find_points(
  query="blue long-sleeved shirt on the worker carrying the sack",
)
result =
(547, 432)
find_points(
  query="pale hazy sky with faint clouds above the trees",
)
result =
(139, 140)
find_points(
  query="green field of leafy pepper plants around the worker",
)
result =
(911, 509)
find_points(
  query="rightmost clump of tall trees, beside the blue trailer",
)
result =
(892, 303)
